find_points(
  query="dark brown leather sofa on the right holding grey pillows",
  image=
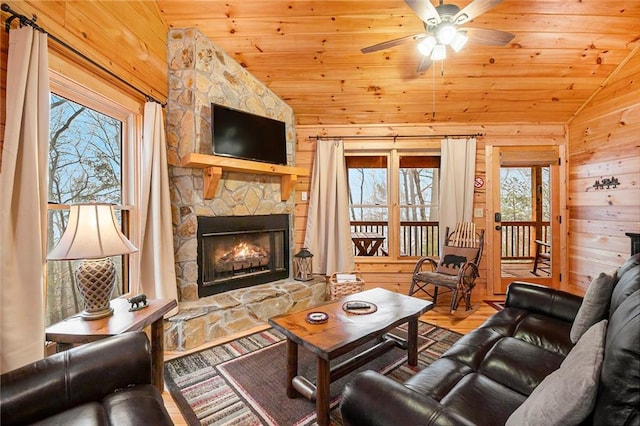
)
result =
(487, 374)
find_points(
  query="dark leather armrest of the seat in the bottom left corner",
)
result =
(67, 379)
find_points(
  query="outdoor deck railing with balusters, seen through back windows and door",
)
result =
(420, 238)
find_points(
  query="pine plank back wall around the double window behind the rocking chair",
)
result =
(396, 276)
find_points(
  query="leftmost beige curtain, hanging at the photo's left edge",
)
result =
(23, 185)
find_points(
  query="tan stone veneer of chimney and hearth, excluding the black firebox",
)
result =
(200, 74)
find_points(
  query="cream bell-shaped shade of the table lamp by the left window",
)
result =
(92, 233)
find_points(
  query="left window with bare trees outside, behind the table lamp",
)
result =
(90, 140)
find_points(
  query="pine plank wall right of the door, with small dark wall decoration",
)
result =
(604, 141)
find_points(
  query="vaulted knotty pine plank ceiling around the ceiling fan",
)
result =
(308, 53)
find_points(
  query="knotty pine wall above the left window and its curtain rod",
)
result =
(128, 38)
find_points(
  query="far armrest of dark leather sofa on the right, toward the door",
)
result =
(543, 300)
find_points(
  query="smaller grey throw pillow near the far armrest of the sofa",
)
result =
(594, 305)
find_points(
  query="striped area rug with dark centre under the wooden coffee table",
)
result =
(243, 382)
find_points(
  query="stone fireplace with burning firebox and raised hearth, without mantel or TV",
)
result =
(211, 305)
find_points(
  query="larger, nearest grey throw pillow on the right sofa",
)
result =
(568, 395)
